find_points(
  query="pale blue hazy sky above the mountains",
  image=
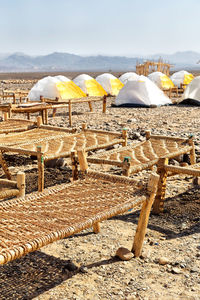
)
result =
(91, 27)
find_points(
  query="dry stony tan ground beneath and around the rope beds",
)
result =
(173, 235)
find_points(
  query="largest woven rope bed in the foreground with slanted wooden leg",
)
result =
(29, 223)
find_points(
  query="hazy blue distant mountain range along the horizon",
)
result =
(20, 62)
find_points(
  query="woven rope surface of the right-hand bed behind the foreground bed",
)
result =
(144, 152)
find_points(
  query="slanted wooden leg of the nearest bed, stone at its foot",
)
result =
(144, 216)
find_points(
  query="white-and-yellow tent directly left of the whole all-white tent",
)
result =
(111, 84)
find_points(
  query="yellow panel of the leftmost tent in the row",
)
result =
(69, 90)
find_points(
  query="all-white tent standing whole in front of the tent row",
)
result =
(141, 92)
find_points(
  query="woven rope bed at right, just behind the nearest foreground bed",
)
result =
(145, 154)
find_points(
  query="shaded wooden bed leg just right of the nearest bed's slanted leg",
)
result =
(158, 205)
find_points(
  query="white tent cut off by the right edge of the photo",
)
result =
(192, 92)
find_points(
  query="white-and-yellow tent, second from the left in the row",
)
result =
(89, 85)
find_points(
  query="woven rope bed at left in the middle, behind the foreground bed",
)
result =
(51, 144)
